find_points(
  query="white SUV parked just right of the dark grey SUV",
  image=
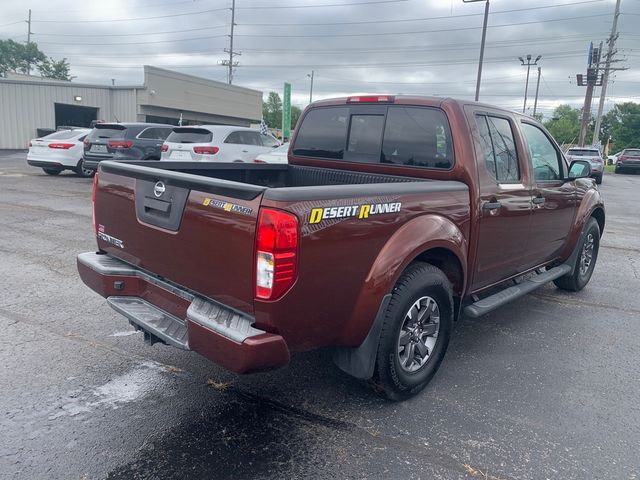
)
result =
(216, 143)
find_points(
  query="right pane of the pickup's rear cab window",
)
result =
(417, 136)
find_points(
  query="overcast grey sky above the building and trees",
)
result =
(354, 46)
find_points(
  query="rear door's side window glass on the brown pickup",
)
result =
(499, 148)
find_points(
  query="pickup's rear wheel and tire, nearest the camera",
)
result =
(415, 333)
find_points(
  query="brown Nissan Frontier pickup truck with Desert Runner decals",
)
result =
(394, 217)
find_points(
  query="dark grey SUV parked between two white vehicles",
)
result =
(124, 141)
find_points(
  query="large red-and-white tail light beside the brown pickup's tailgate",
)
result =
(276, 253)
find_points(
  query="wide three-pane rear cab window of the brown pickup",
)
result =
(385, 134)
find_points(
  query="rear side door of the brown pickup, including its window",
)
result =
(505, 200)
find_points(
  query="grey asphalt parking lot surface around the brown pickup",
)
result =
(546, 387)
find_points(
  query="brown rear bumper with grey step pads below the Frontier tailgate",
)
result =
(174, 315)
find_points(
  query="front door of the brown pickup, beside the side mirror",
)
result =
(554, 199)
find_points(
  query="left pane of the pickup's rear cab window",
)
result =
(323, 133)
